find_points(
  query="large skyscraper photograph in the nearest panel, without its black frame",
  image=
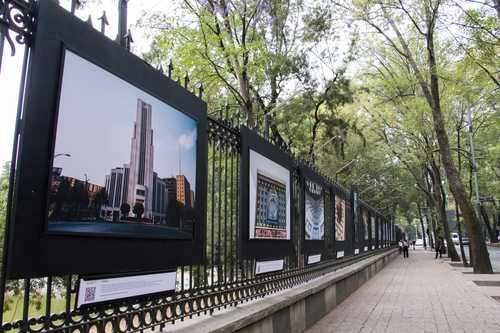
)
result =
(124, 161)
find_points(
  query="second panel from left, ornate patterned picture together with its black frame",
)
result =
(266, 199)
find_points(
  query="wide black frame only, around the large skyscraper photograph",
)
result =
(32, 252)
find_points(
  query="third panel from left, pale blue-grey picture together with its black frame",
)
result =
(313, 211)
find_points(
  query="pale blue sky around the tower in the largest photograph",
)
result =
(95, 125)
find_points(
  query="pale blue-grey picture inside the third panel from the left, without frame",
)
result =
(314, 211)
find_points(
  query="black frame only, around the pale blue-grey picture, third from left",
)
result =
(312, 247)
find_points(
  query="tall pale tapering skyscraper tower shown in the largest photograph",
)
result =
(140, 186)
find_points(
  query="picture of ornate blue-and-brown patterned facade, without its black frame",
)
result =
(269, 199)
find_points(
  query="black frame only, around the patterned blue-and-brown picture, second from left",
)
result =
(262, 249)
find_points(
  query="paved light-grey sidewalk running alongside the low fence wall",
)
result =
(419, 294)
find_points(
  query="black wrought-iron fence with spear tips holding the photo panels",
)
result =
(224, 279)
